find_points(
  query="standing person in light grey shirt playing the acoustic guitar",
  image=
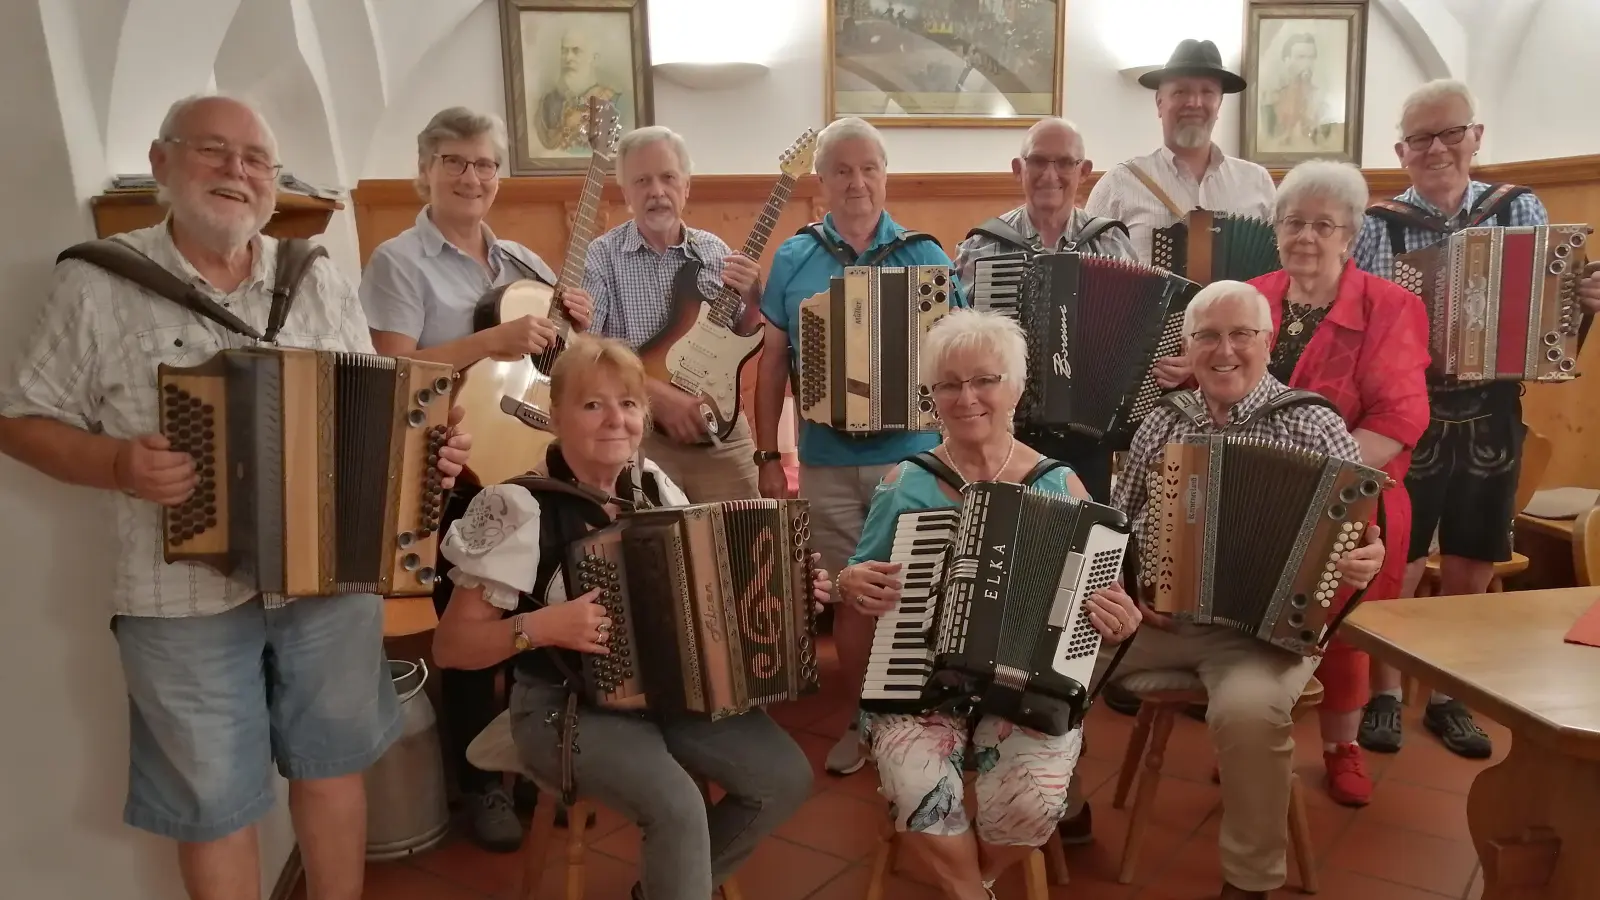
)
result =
(422, 291)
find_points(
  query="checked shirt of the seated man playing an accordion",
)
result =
(1310, 428)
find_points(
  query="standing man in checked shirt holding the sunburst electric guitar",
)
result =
(630, 276)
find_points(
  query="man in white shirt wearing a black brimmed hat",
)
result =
(1154, 191)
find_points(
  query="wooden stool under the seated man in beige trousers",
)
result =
(1164, 694)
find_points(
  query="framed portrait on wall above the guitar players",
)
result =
(558, 55)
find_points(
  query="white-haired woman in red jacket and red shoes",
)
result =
(1362, 344)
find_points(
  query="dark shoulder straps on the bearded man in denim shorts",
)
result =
(295, 259)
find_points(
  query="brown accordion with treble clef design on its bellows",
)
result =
(711, 608)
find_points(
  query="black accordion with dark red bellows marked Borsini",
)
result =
(1095, 329)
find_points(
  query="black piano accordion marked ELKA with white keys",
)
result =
(993, 608)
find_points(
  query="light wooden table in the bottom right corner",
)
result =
(1535, 818)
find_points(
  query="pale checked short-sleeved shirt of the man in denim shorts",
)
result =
(92, 364)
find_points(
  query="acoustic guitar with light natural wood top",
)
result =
(508, 404)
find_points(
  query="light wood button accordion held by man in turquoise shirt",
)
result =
(862, 348)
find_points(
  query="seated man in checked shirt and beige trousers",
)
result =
(1252, 685)
